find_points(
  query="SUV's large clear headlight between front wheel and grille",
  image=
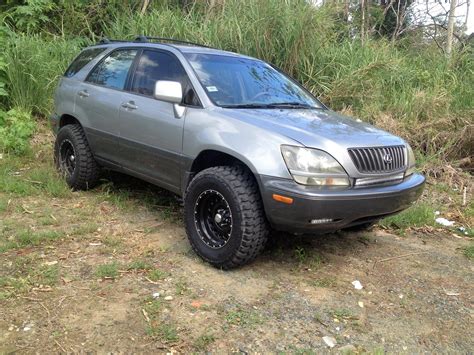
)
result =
(313, 167)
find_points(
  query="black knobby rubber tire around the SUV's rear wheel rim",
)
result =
(86, 171)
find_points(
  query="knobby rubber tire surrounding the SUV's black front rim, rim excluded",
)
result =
(249, 225)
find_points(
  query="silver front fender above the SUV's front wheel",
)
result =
(259, 149)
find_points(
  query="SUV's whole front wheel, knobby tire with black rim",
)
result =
(225, 219)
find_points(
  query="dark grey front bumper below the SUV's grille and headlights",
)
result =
(344, 207)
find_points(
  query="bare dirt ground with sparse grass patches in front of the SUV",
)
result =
(113, 274)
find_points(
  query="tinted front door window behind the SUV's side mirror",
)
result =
(153, 66)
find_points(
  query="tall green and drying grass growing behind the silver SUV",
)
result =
(410, 90)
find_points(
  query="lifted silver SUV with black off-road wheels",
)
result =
(247, 147)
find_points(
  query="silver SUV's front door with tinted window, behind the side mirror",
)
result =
(150, 132)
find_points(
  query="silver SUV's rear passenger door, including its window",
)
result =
(98, 100)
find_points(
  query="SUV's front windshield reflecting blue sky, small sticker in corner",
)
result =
(245, 83)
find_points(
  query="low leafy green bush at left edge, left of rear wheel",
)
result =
(16, 128)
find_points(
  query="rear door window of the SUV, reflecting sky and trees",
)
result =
(112, 71)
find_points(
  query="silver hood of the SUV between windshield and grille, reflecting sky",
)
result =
(323, 129)
